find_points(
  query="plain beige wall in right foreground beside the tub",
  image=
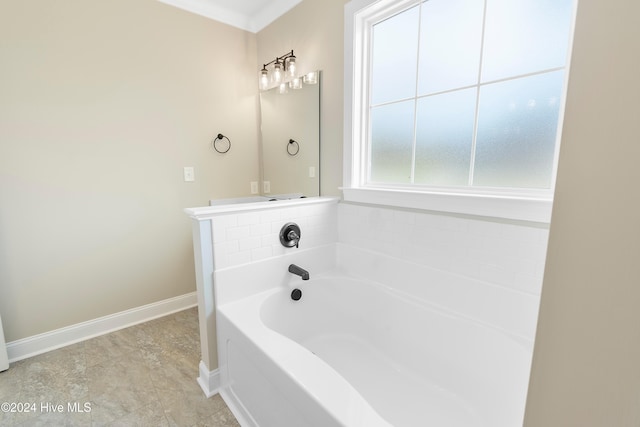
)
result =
(586, 364)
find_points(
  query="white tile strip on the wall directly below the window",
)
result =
(506, 254)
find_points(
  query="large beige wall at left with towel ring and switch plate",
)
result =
(102, 103)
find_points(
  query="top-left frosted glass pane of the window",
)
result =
(394, 58)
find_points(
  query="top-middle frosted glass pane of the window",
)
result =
(450, 41)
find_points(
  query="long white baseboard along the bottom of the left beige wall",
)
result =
(42, 343)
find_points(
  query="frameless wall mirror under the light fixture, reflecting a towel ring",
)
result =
(291, 142)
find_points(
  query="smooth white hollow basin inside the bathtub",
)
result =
(427, 364)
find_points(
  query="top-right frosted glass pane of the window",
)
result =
(525, 36)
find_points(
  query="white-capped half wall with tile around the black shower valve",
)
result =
(241, 234)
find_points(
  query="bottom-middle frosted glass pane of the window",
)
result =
(444, 138)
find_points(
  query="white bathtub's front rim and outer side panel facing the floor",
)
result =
(263, 370)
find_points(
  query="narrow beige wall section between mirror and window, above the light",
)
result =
(314, 30)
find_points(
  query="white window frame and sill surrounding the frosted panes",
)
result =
(523, 205)
